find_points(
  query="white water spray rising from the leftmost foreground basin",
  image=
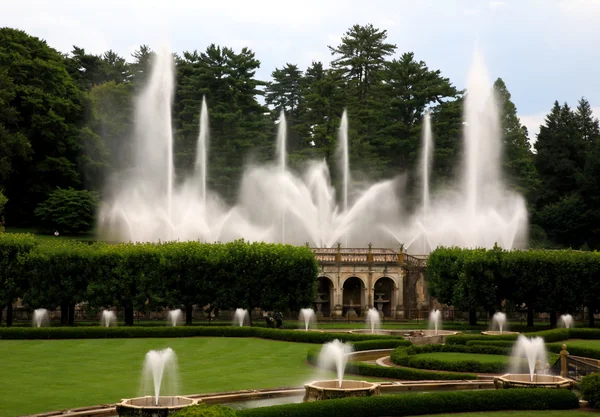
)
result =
(160, 373)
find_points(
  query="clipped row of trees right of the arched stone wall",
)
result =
(554, 282)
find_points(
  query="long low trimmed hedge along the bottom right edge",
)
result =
(425, 403)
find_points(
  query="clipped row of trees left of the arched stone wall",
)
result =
(150, 277)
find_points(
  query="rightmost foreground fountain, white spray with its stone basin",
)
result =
(533, 351)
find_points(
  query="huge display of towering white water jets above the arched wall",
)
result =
(277, 204)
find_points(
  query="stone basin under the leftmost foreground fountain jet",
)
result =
(147, 407)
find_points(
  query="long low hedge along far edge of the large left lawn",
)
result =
(98, 332)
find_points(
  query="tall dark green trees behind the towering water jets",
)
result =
(66, 123)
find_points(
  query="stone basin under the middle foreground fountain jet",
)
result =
(329, 389)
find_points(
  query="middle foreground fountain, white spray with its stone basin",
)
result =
(335, 355)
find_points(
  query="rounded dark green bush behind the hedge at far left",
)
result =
(68, 210)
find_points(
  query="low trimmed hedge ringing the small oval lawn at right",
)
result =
(407, 357)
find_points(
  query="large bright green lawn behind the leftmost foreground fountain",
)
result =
(46, 375)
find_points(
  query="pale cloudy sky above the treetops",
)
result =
(545, 50)
